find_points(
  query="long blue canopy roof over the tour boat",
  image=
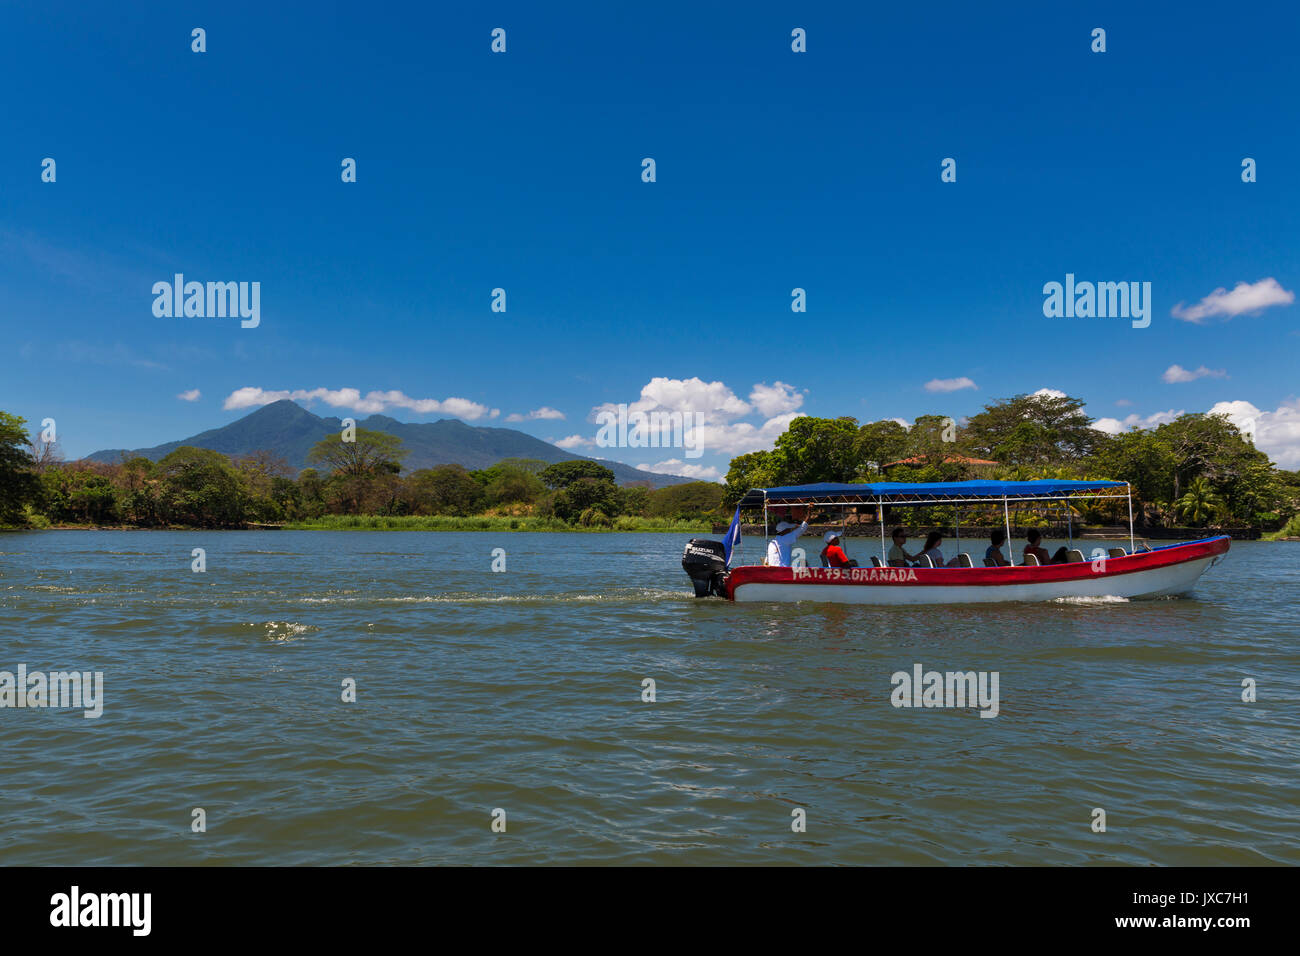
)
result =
(930, 492)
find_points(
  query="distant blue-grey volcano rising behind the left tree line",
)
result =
(291, 431)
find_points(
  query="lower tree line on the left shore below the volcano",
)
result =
(193, 487)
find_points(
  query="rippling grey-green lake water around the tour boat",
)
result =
(523, 691)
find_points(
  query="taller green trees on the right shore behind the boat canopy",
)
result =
(1195, 471)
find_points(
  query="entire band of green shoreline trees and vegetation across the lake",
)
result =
(1198, 471)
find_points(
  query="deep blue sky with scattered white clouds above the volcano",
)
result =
(523, 171)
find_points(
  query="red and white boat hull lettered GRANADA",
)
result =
(1162, 573)
